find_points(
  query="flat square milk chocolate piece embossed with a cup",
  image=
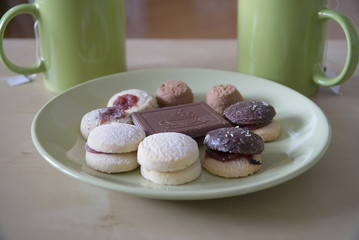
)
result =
(194, 119)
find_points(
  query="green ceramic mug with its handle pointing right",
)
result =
(284, 41)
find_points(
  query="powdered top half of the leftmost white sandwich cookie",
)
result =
(115, 138)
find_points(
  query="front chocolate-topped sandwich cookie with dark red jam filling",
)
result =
(232, 152)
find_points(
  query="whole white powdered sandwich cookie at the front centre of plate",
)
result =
(169, 158)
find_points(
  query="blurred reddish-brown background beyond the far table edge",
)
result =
(179, 18)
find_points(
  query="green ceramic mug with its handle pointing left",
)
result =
(79, 40)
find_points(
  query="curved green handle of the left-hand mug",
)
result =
(7, 17)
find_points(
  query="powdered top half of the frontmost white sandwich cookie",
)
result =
(167, 152)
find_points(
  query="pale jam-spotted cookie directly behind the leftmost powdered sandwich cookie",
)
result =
(102, 116)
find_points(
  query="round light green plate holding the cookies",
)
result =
(304, 138)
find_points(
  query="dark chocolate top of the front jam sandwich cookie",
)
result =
(234, 140)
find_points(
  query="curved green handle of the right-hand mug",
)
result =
(352, 53)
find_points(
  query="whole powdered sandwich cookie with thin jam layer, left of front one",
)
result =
(111, 148)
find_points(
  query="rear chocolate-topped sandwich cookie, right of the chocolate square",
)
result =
(256, 116)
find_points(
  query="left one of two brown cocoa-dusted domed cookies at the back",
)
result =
(173, 92)
